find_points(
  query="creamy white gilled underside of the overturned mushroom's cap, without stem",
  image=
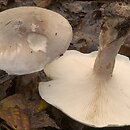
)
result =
(83, 96)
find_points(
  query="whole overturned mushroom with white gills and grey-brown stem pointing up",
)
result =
(86, 87)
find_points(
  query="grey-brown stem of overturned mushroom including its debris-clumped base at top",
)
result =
(113, 34)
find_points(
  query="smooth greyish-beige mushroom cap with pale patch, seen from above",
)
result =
(30, 37)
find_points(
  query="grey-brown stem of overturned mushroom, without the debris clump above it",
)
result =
(112, 36)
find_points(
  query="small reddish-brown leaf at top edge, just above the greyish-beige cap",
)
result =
(42, 3)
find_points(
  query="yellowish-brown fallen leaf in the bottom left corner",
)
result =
(12, 110)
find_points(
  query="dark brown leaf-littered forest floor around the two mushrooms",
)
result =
(21, 107)
